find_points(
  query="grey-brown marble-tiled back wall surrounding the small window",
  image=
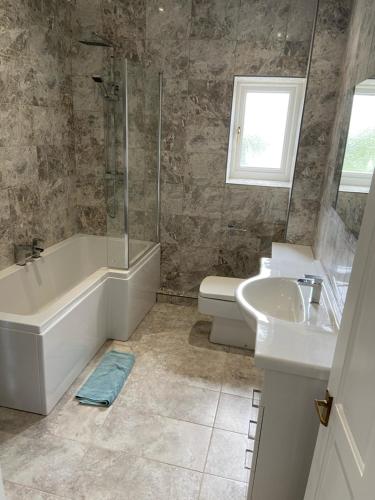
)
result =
(200, 45)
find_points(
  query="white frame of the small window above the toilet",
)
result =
(282, 177)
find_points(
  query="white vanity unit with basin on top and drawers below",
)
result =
(295, 342)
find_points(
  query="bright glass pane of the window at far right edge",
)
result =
(360, 147)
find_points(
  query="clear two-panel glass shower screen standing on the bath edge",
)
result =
(132, 170)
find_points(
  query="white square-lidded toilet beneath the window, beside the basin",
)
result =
(216, 298)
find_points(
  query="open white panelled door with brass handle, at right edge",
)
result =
(343, 466)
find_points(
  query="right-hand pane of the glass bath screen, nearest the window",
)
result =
(143, 140)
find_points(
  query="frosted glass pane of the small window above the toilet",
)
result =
(264, 130)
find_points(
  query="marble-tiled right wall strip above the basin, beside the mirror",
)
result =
(334, 245)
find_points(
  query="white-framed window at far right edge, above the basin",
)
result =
(359, 161)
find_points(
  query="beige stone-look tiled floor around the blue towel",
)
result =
(176, 432)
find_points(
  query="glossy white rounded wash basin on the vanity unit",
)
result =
(292, 334)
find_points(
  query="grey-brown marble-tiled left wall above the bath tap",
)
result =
(37, 166)
